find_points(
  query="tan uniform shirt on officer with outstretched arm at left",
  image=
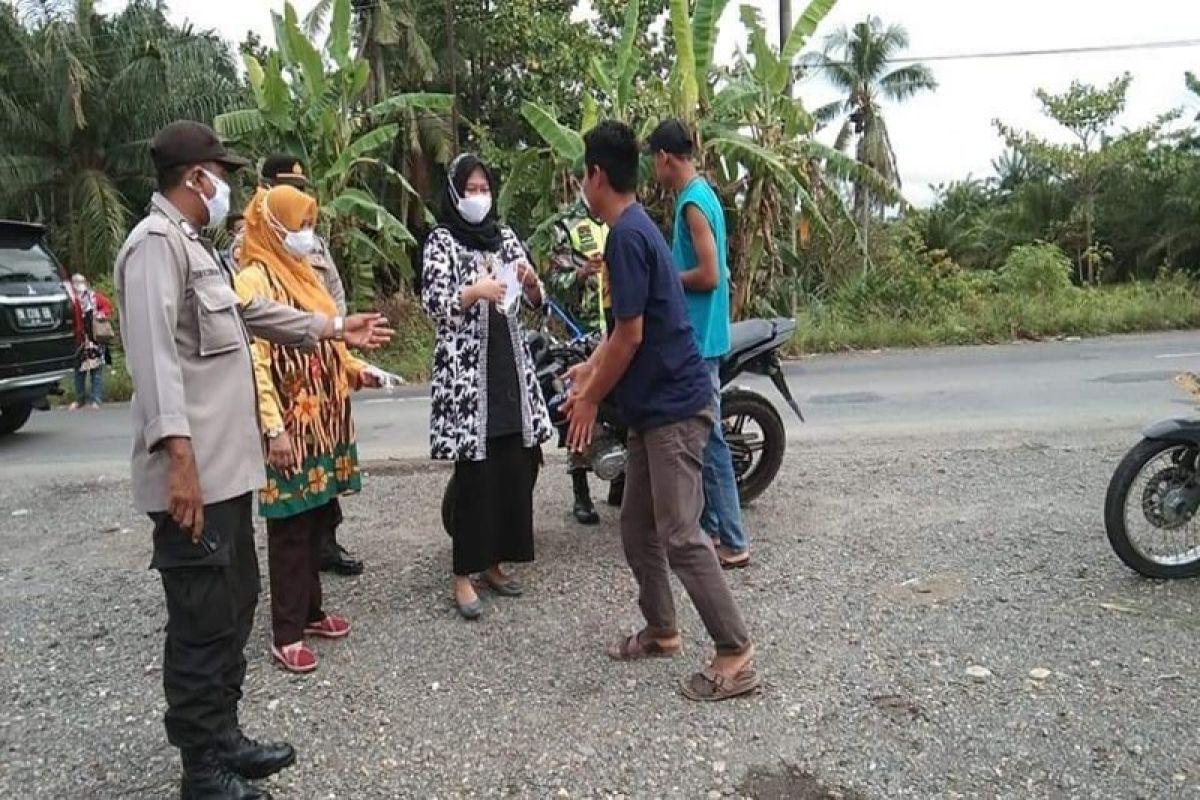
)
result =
(188, 352)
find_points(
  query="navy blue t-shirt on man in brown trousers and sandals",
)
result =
(667, 382)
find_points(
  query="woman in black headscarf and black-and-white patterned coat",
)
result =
(488, 414)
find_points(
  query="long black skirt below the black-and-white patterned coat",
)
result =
(494, 507)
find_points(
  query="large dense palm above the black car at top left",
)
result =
(81, 98)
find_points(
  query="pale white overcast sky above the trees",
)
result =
(950, 134)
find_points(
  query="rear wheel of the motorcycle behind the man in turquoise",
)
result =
(755, 435)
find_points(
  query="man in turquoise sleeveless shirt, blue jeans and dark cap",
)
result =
(700, 255)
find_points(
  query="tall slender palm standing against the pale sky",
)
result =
(859, 62)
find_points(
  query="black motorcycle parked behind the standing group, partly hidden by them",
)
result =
(753, 429)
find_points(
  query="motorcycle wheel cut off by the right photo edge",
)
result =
(1126, 504)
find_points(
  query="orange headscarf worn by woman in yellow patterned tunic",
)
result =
(269, 214)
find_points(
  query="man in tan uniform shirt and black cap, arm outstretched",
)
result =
(199, 452)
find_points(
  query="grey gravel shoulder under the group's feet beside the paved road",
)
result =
(902, 594)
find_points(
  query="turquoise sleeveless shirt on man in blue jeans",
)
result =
(710, 311)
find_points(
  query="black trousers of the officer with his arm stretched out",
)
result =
(212, 592)
